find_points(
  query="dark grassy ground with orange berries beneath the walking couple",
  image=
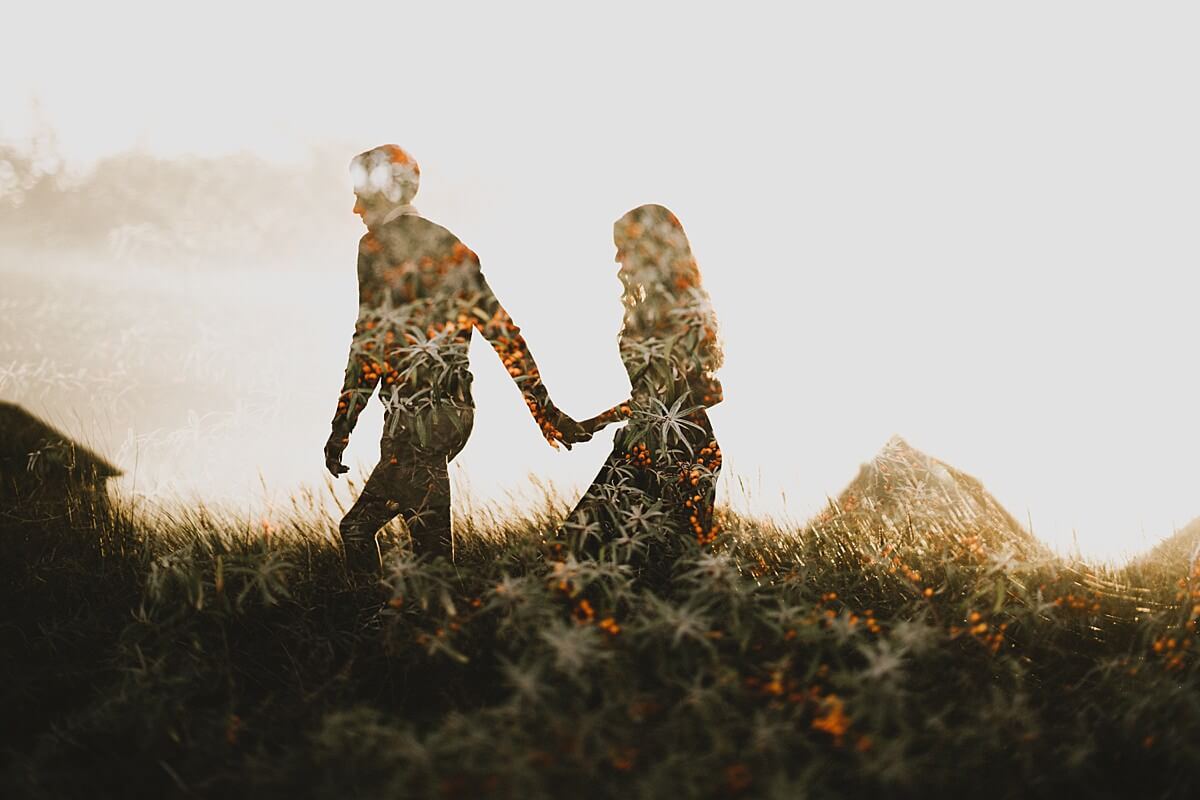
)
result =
(191, 653)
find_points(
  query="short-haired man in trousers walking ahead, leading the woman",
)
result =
(421, 296)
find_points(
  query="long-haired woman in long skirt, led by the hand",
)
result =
(657, 489)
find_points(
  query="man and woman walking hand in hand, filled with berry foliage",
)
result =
(421, 296)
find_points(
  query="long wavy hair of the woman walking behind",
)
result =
(663, 293)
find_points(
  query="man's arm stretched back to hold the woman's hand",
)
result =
(506, 338)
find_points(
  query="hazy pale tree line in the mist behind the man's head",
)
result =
(139, 207)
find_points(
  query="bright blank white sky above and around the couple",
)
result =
(975, 227)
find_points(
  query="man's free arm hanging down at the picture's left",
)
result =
(363, 372)
